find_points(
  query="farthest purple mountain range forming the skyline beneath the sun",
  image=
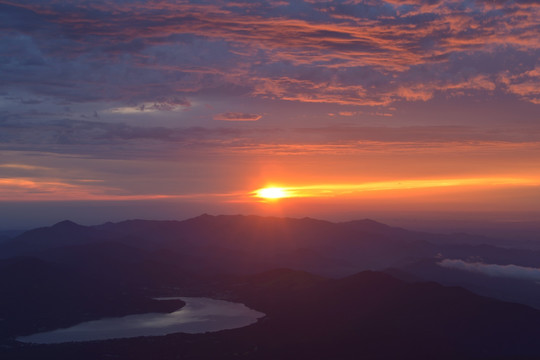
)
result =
(239, 244)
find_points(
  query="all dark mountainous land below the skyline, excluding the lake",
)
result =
(327, 298)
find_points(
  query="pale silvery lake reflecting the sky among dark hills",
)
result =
(199, 315)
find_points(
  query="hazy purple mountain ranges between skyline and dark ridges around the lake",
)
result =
(160, 255)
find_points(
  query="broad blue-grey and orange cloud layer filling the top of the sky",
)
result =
(350, 53)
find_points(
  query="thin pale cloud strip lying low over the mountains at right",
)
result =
(507, 271)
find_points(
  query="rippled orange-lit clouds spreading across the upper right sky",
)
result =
(411, 49)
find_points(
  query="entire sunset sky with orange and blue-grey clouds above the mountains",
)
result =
(117, 109)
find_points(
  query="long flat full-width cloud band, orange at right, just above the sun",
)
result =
(121, 140)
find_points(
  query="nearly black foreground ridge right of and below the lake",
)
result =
(369, 315)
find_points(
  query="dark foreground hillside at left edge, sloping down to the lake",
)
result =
(38, 296)
